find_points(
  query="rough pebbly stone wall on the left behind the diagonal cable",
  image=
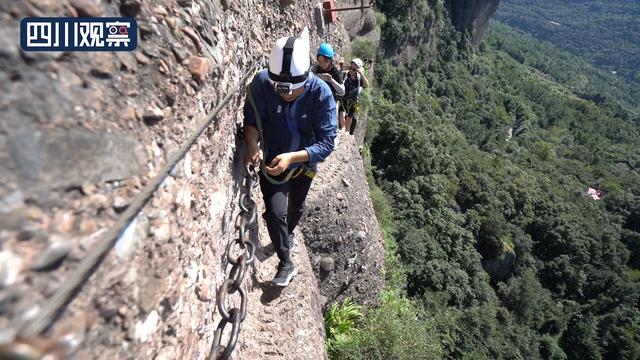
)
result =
(82, 133)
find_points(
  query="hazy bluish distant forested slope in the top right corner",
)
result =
(605, 33)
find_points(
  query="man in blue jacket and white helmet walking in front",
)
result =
(290, 125)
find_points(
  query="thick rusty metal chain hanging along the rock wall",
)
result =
(233, 284)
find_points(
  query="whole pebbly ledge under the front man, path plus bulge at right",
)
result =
(338, 254)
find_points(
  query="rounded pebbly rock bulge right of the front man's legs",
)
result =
(341, 229)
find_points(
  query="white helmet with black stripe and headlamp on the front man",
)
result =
(289, 64)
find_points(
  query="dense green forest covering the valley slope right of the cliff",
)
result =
(483, 160)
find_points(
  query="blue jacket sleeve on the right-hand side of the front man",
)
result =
(325, 124)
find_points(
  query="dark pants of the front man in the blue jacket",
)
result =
(284, 205)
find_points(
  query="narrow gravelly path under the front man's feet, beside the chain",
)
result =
(283, 323)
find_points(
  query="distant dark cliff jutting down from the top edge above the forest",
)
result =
(472, 15)
